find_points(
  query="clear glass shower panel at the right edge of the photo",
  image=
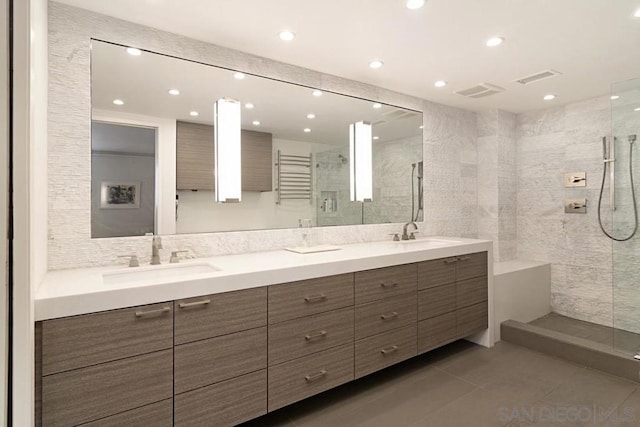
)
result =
(625, 125)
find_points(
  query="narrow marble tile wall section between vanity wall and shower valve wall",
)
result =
(496, 183)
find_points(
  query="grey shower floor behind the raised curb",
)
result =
(624, 341)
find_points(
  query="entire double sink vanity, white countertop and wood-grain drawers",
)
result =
(224, 340)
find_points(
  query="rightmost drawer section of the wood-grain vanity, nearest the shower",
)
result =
(452, 299)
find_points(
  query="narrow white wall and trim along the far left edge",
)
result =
(30, 201)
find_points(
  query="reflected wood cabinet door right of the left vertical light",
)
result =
(257, 161)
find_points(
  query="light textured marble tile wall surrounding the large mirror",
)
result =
(449, 142)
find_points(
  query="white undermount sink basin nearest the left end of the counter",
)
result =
(157, 273)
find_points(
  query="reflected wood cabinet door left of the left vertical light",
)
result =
(194, 156)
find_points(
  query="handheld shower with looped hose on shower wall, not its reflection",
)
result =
(609, 159)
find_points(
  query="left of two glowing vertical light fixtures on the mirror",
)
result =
(228, 185)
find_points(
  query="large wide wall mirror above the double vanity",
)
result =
(295, 150)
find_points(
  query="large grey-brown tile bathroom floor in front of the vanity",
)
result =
(464, 385)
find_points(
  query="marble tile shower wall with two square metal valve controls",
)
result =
(549, 143)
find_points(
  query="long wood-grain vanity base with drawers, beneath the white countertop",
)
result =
(226, 358)
